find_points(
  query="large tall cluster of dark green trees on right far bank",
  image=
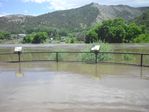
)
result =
(117, 31)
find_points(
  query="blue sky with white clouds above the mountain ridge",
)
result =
(38, 7)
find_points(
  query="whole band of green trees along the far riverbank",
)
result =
(109, 31)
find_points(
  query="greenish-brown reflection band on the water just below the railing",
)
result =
(94, 70)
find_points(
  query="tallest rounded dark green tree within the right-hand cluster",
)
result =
(112, 31)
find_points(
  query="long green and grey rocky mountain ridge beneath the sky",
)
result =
(72, 20)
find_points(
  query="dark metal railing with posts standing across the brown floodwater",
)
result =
(140, 59)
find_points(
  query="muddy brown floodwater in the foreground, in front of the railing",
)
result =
(73, 87)
